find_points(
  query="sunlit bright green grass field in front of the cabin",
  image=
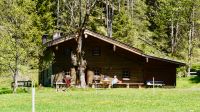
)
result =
(180, 99)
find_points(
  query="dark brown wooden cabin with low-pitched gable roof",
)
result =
(109, 57)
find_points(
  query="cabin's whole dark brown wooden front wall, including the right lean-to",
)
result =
(113, 61)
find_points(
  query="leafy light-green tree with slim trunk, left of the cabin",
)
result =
(20, 40)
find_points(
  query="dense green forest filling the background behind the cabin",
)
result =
(164, 28)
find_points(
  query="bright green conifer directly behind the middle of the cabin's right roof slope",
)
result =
(130, 24)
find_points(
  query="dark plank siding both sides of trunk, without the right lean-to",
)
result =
(110, 62)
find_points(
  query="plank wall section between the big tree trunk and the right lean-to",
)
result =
(112, 62)
